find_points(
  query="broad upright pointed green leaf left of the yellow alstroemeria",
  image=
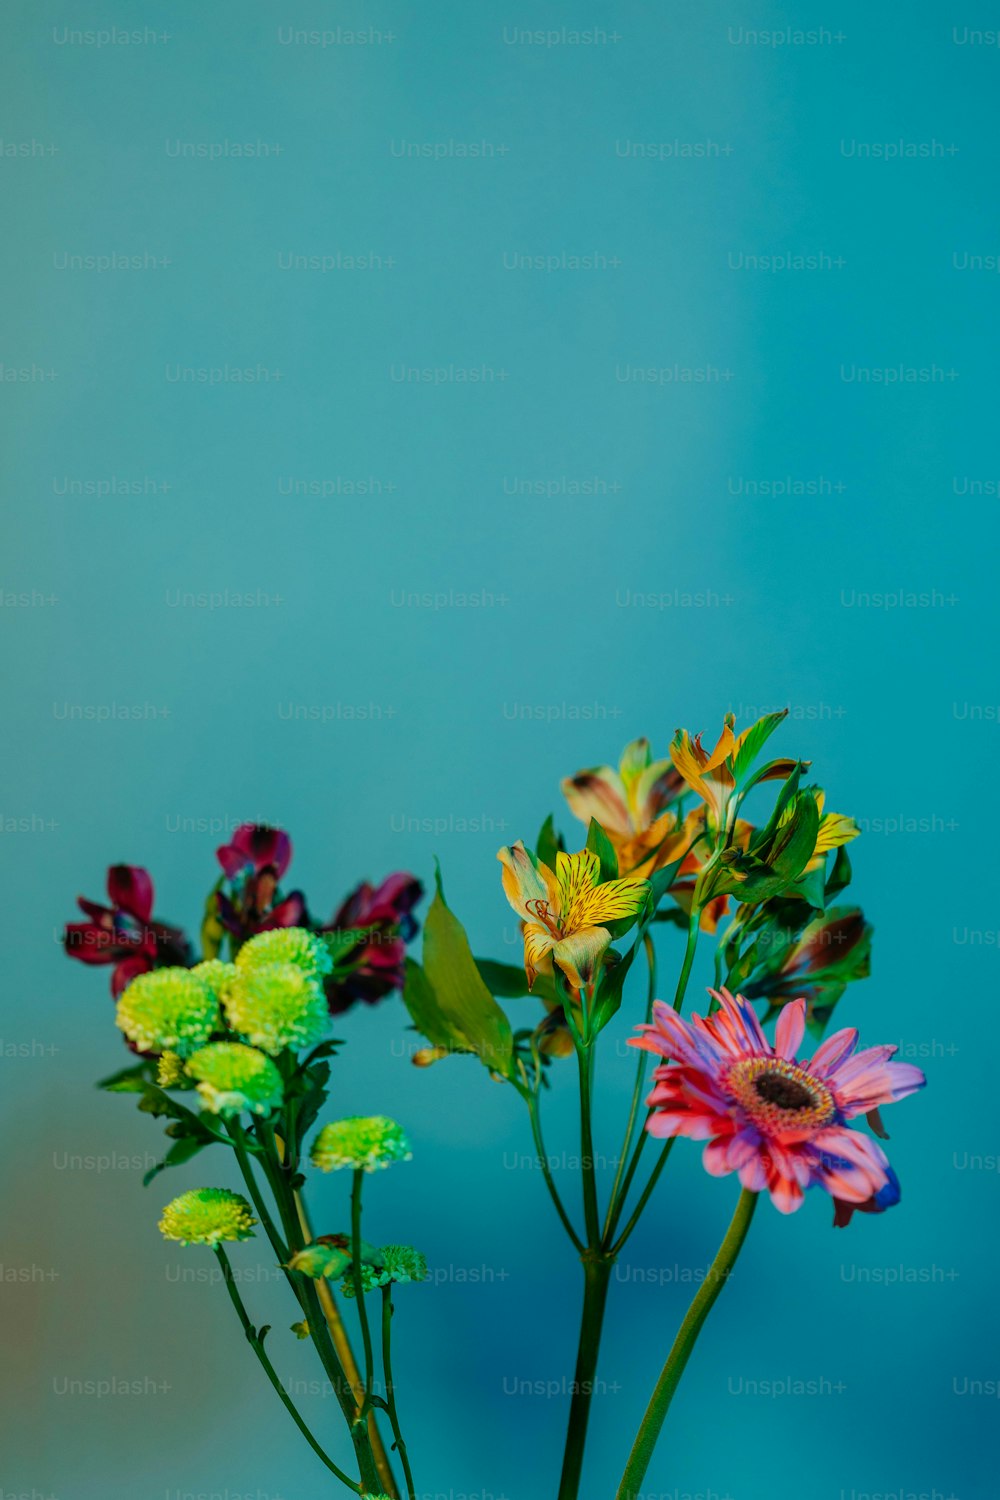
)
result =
(461, 995)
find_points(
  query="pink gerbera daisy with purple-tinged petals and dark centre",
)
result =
(777, 1123)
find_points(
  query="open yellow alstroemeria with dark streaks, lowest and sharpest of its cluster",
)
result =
(563, 911)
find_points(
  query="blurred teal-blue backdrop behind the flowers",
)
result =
(326, 694)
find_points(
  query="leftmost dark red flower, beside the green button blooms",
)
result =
(125, 932)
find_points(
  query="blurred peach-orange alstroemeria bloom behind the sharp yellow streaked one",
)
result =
(630, 805)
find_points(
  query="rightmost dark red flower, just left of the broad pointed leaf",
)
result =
(385, 920)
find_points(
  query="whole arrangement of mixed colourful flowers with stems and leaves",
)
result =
(233, 1049)
